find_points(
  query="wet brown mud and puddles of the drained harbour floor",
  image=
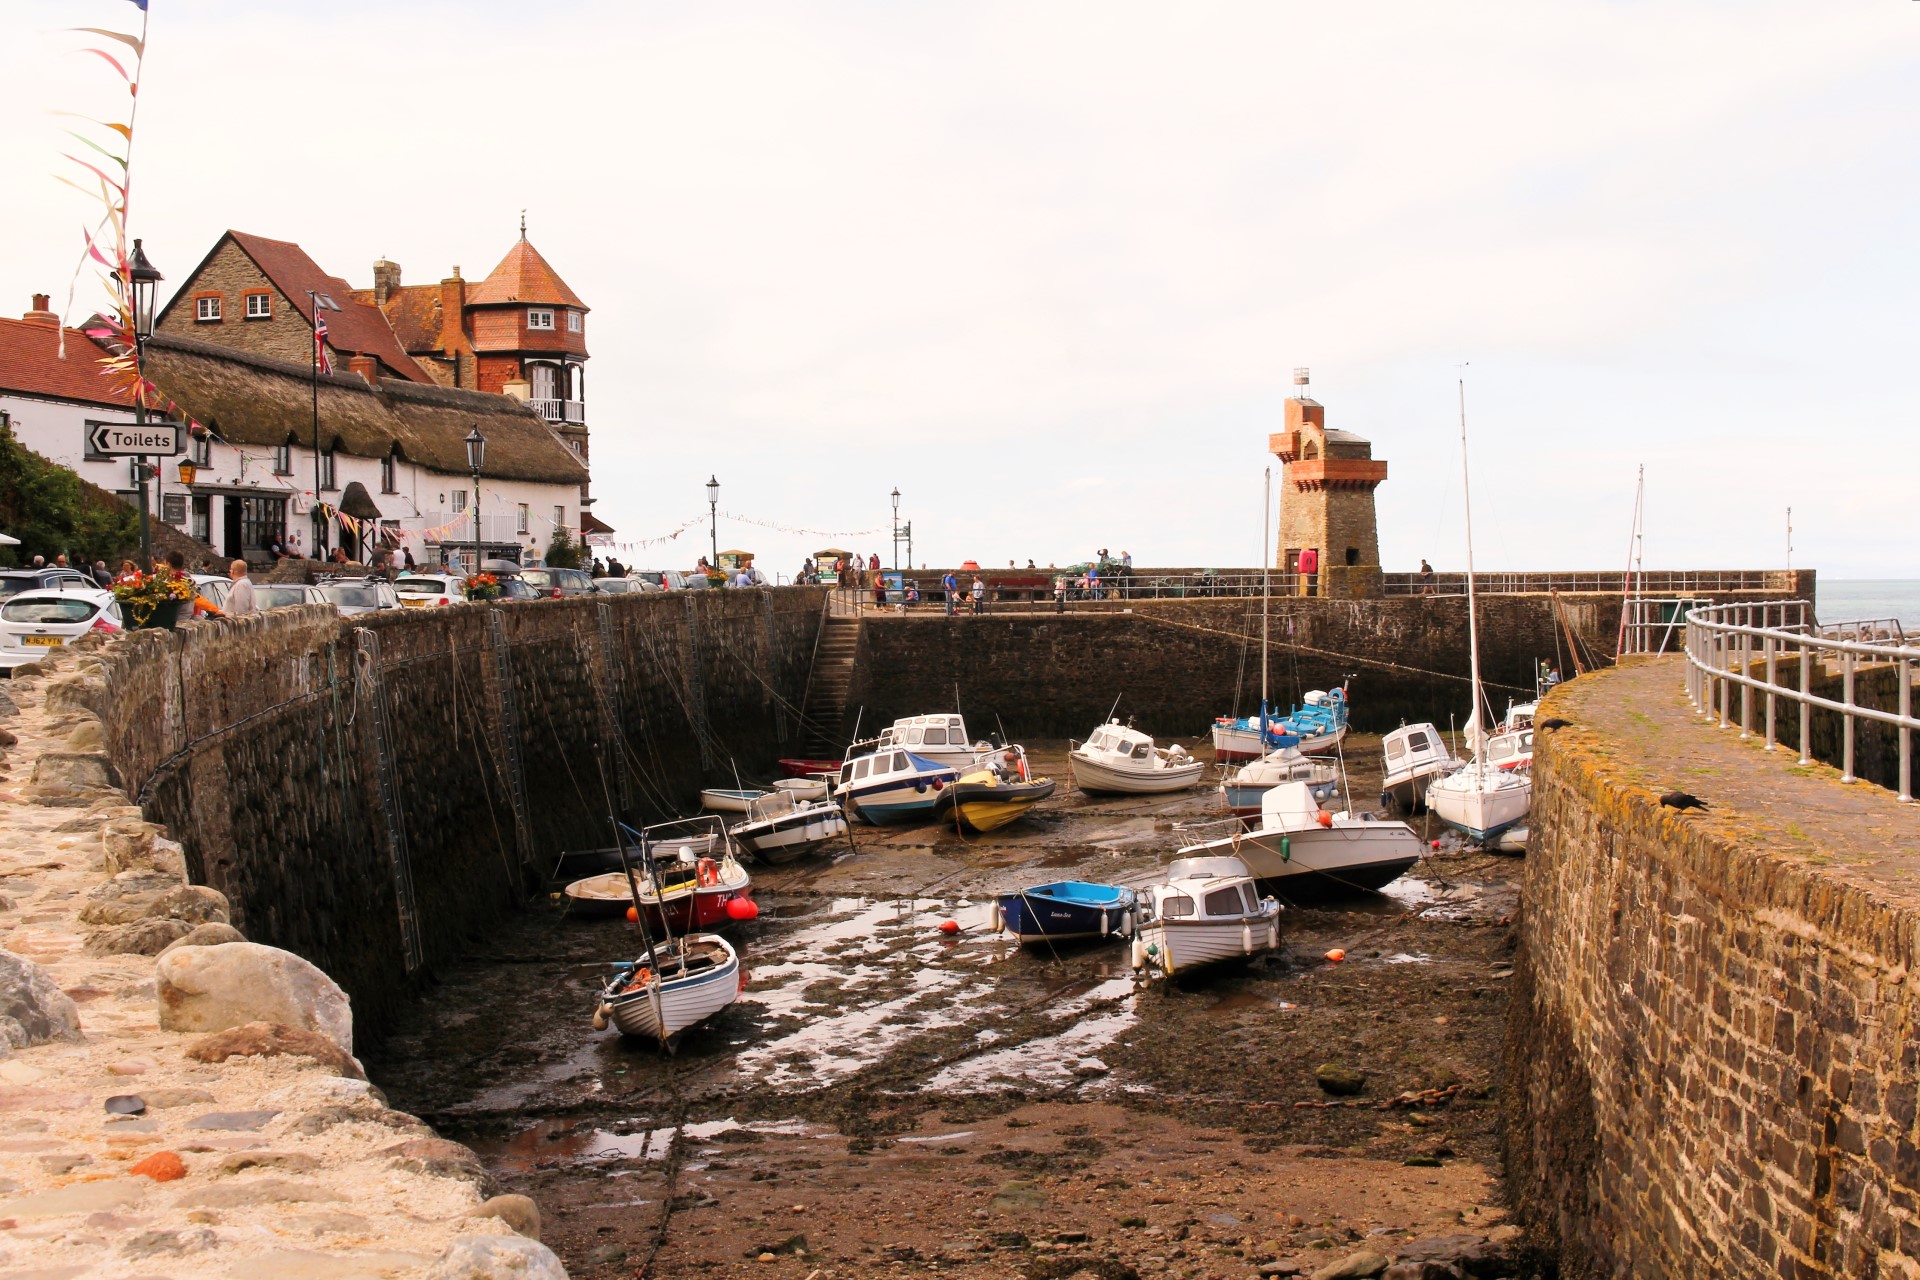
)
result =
(888, 1099)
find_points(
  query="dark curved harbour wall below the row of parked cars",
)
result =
(375, 794)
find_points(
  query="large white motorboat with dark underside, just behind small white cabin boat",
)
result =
(1308, 849)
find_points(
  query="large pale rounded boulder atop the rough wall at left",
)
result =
(218, 987)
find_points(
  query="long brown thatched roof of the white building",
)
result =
(254, 400)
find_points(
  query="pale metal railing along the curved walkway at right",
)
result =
(1725, 642)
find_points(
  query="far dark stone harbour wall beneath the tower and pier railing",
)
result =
(1178, 665)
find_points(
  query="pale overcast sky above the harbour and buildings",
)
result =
(1049, 268)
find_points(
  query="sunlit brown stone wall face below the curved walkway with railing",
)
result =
(1712, 1053)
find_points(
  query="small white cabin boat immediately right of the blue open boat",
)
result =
(1203, 914)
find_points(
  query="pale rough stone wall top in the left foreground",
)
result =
(279, 1166)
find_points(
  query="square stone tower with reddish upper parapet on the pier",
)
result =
(1328, 483)
